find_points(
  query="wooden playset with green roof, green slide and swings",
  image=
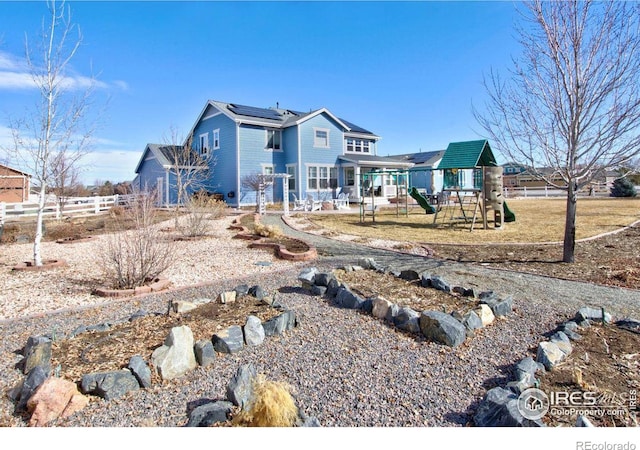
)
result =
(472, 188)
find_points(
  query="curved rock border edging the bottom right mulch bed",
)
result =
(499, 407)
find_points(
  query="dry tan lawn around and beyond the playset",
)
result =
(537, 220)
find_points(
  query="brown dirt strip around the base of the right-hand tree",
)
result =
(612, 260)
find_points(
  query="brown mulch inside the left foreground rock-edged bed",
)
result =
(110, 350)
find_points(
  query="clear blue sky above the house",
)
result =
(408, 71)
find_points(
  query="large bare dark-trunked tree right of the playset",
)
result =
(571, 104)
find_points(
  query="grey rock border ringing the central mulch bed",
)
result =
(448, 329)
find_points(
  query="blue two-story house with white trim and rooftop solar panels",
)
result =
(322, 154)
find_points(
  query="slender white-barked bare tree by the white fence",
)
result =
(56, 128)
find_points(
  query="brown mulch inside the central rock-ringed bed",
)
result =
(368, 283)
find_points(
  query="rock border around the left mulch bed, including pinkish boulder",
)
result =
(177, 356)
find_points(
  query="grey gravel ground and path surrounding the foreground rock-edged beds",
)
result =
(346, 368)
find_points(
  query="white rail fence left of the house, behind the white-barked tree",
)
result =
(73, 206)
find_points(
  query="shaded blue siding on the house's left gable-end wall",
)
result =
(224, 163)
